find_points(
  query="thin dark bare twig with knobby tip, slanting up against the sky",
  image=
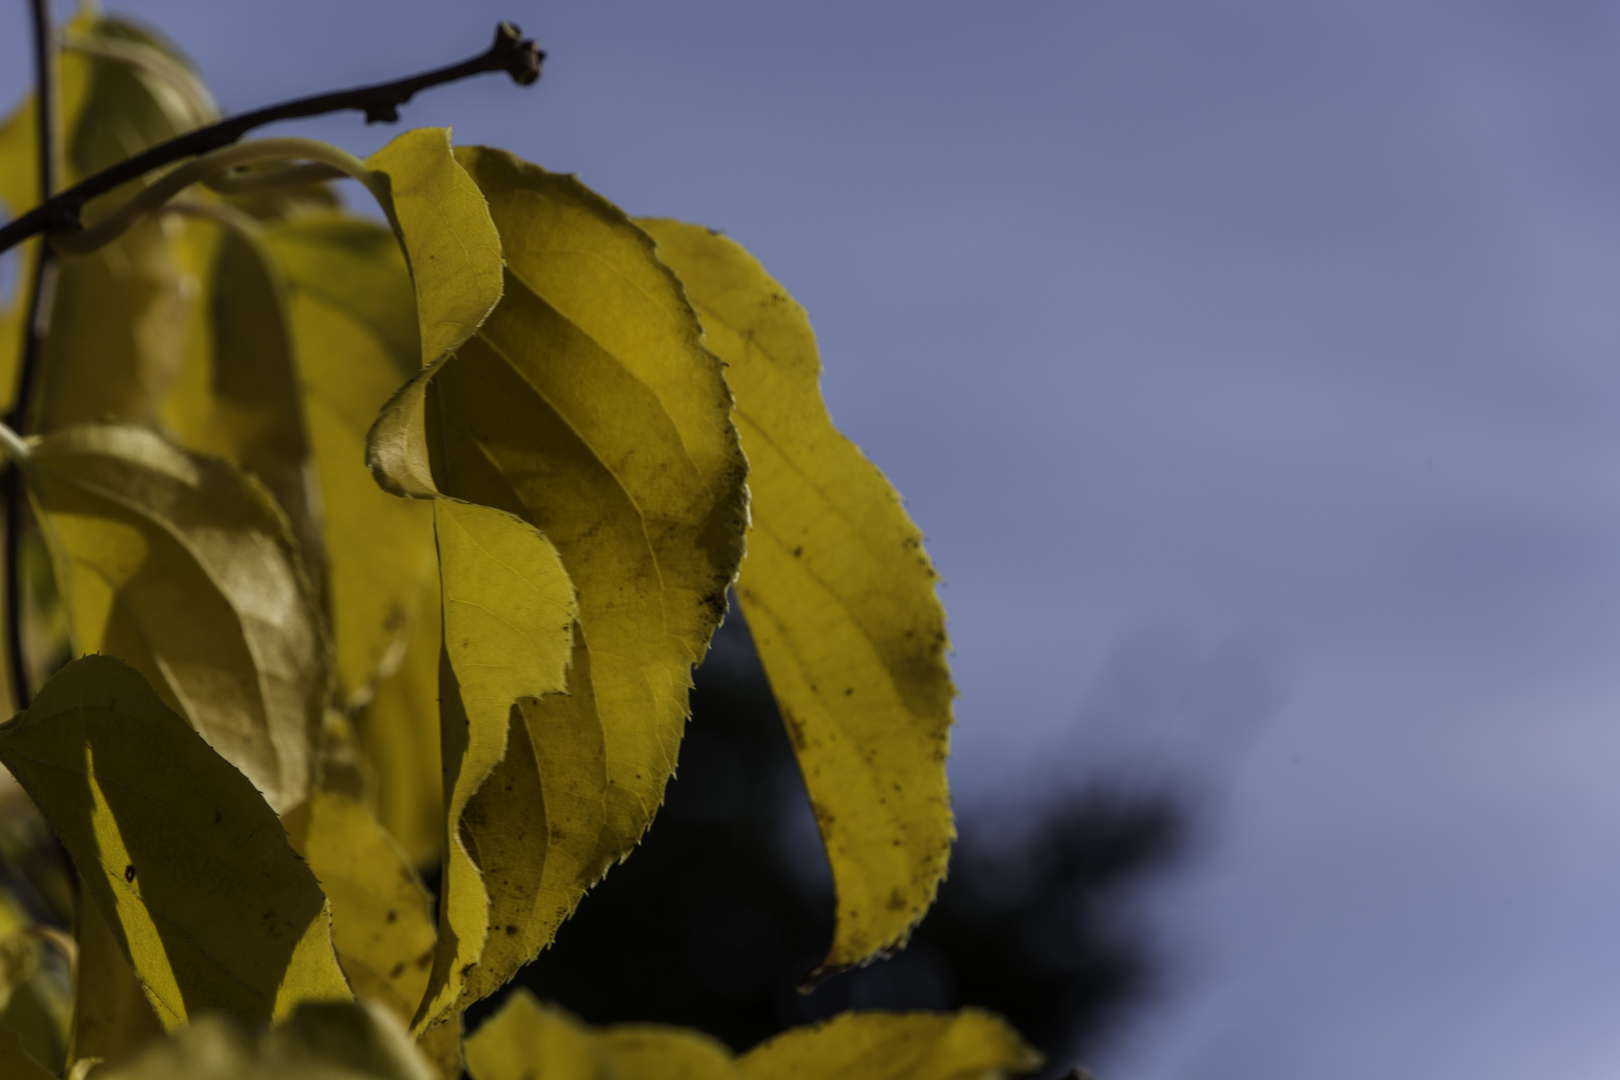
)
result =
(511, 53)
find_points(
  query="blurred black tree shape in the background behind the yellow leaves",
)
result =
(728, 903)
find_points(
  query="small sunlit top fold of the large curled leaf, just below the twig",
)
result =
(450, 240)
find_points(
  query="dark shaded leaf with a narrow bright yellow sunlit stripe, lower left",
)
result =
(187, 862)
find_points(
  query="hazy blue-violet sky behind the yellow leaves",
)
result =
(1253, 370)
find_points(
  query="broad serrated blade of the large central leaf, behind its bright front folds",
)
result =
(589, 407)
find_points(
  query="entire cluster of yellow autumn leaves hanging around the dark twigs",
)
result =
(394, 546)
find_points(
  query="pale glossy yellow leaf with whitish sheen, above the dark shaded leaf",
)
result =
(182, 566)
